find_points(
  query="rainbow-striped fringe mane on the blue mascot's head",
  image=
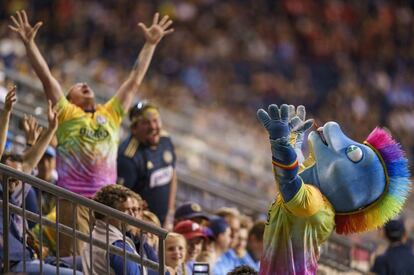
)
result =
(397, 187)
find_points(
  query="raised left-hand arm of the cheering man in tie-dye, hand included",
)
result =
(27, 34)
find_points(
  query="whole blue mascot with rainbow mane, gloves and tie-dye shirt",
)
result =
(344, 185)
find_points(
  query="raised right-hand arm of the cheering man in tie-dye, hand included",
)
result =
(153, 36)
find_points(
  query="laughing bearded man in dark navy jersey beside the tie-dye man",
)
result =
(146, 162)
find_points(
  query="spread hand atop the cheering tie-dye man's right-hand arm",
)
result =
(157, 30)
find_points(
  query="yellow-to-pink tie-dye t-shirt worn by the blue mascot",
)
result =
(294, 232)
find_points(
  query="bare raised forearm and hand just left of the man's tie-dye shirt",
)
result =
(33, 155)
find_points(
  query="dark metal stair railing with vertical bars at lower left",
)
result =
(60, 193)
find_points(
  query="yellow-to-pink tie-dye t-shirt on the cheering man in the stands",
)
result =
(87, 146)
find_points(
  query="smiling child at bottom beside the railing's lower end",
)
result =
(175, 251)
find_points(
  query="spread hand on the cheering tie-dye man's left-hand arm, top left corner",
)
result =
(22, 26)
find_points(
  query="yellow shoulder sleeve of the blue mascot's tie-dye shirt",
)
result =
(307, 202)
